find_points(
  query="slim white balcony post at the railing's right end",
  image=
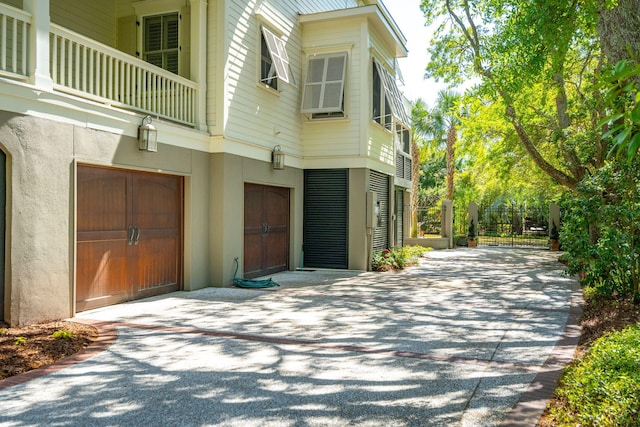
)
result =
(199, 59)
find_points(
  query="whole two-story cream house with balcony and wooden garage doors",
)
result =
(92, 219)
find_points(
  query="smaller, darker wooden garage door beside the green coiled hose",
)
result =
(266, 230)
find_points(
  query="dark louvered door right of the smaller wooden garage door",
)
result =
(326, 218)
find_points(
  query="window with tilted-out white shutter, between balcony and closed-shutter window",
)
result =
(274, 62)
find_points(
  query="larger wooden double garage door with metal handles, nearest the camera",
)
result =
(129, 236)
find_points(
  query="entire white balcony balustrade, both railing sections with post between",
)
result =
(85, 68)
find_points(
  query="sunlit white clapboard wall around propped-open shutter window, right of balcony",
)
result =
(255, 114)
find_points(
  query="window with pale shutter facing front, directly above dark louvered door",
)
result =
(323, 94)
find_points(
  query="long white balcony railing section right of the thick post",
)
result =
(86, 68)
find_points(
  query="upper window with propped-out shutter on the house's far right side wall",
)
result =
(387, 100)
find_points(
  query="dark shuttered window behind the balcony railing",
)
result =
(161, 47)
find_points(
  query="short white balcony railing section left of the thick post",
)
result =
(14, 42)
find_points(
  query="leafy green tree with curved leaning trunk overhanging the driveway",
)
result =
(515, 45)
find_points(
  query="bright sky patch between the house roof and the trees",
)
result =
(411, 21)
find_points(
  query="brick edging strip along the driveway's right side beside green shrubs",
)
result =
(533, 402)
